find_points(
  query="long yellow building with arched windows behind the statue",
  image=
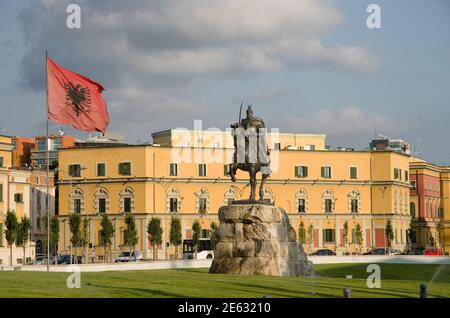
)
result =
(184, 173)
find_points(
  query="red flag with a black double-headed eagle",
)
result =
(74, 99)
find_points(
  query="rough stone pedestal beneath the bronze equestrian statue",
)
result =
(257, 239)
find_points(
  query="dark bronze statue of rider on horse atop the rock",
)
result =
(248, 126)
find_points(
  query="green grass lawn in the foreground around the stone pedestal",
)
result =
(397, 280)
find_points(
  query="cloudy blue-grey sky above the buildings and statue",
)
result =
(306, 66)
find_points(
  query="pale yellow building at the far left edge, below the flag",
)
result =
(24, 192)
